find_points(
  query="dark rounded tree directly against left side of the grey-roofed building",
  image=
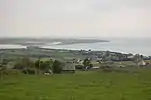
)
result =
(57, 67)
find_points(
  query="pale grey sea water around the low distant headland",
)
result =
(123, 45)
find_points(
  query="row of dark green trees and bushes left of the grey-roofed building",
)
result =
(28, 66)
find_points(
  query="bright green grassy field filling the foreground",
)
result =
(91, 85)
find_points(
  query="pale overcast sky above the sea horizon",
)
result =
(75, 18)
